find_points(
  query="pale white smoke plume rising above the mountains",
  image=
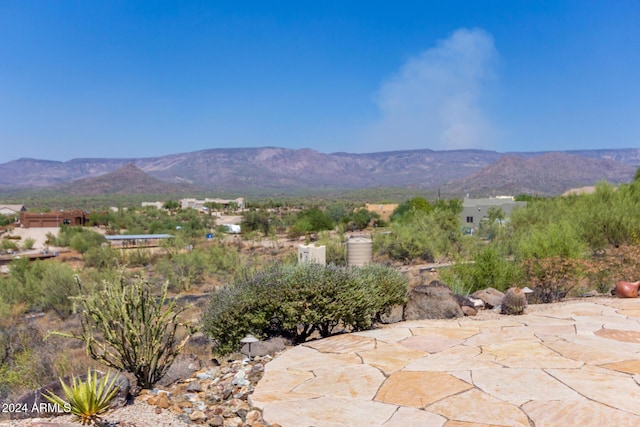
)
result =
(434, 100)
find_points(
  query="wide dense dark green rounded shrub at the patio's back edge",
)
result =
(297, 300)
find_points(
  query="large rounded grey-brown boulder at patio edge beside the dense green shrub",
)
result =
(433, 301)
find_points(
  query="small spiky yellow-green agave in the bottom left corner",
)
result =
(88, 399)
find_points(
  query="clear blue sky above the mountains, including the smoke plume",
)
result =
(128, 79)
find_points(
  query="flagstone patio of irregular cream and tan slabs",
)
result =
(570, 364)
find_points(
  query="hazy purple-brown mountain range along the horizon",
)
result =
(272, 170)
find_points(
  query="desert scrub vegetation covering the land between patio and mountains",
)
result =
(231, 285)
